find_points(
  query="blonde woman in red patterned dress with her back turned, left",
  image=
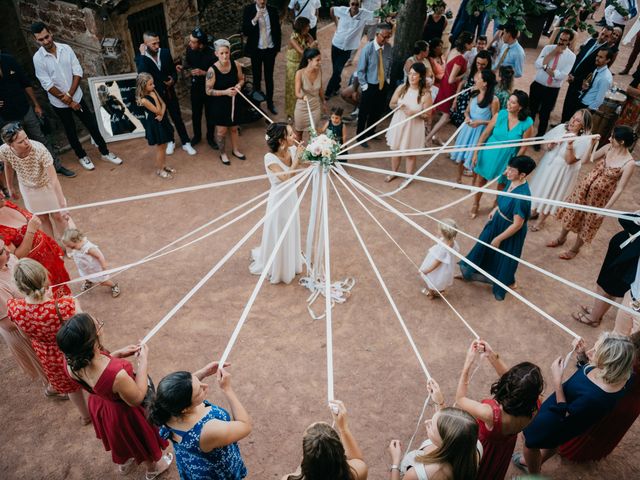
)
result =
(40, 315)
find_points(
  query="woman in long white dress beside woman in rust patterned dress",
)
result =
(560, 166)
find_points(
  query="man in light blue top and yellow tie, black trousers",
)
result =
(373, 77)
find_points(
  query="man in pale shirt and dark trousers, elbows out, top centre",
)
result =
(350, 23)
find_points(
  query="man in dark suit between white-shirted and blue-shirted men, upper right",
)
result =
(585, 64)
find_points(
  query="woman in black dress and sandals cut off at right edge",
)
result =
(617, 273)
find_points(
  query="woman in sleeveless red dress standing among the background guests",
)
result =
(454, 72)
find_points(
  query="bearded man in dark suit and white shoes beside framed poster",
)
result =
(158, 63)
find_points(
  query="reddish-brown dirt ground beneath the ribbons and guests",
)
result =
(279, 361)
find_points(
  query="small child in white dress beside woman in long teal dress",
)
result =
(438, 266)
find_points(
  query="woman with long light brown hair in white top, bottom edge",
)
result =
(451, 451)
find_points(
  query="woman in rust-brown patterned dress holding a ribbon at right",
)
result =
(601, 188)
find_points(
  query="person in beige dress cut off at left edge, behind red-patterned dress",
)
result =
(19, 345)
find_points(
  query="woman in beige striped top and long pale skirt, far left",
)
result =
(37, 178)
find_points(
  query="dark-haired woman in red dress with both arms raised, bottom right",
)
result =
(500, 418)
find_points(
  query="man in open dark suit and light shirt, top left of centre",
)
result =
(261, 25)
